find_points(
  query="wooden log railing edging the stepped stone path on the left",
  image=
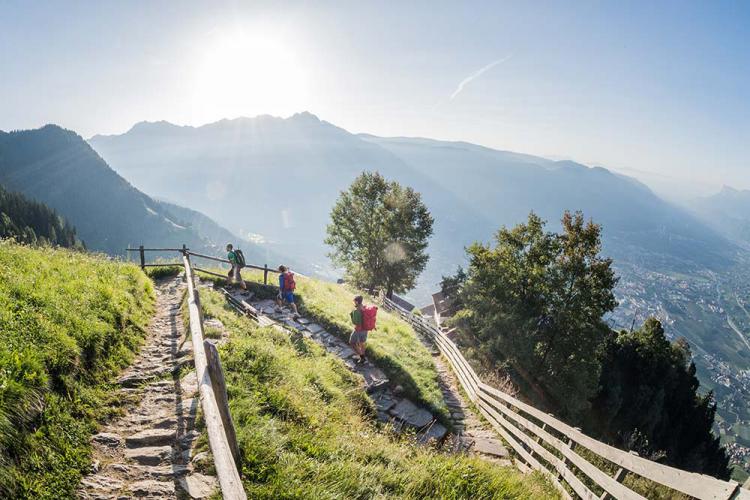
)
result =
(213, 397)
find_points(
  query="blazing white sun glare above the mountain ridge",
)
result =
(244, 74)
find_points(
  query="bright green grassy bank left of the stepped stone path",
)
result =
(68, 322)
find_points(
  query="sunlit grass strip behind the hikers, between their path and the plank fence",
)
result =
(393, 346)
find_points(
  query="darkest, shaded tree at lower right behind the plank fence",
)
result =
(648, 401)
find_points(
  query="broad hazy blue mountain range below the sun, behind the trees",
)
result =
(278, 178)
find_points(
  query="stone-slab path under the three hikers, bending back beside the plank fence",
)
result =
(470, 433)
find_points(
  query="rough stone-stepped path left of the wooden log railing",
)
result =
(149, 451)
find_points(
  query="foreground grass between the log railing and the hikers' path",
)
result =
(306, 429)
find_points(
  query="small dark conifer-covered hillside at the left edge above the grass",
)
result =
(33, 223)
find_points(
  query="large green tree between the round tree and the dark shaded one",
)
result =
(535, 302)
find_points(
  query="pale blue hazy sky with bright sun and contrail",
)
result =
(659, 87)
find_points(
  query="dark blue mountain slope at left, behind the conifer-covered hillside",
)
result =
(57, 167)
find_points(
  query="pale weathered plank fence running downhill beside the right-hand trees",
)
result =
(552, 447)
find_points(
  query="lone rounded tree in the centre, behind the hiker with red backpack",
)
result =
(379, 233)
